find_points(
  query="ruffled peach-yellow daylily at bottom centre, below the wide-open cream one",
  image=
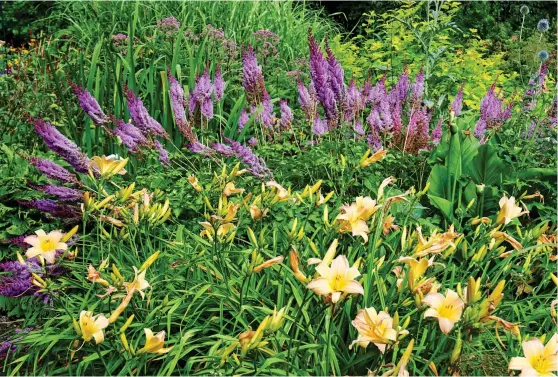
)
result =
(374, 327)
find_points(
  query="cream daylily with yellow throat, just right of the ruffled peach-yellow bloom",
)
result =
(446, 309)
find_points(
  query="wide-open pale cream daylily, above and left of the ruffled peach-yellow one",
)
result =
(335, 280)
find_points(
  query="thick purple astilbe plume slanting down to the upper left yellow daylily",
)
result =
(61, 145)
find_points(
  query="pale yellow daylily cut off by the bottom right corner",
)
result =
(539, 360)
